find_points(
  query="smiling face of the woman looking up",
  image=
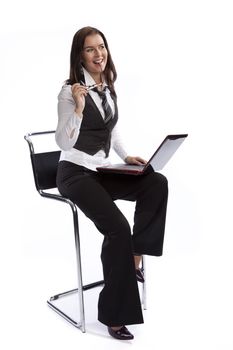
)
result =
(95, 55)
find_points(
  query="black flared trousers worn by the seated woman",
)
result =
(94, 193)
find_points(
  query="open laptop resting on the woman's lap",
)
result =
(158, 160)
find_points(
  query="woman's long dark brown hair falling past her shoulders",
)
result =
(76, 74)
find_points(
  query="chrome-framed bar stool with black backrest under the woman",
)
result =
(44, 166)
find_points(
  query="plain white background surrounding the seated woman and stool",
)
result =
(174, 62)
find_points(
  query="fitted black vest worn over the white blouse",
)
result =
(94, 133)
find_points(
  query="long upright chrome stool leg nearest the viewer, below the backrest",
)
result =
(79, 267)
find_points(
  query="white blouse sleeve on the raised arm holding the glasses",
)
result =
(69, 122)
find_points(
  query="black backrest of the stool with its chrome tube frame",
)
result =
(44, 165)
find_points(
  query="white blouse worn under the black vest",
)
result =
(68, 129)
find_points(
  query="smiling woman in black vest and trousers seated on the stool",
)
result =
(86, 131)
